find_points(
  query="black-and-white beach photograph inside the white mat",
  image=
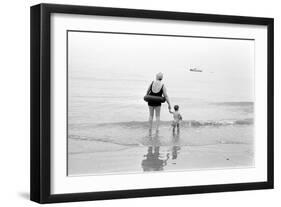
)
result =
(139, 103)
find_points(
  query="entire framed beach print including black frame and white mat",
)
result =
(132, 103)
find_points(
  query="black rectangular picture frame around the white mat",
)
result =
(40, 184)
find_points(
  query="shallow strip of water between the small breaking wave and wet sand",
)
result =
(136, 134)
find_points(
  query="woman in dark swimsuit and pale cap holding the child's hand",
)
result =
(156, 88)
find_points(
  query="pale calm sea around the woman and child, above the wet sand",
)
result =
(109, 108)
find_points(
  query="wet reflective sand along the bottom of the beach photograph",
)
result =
(95, 157)
